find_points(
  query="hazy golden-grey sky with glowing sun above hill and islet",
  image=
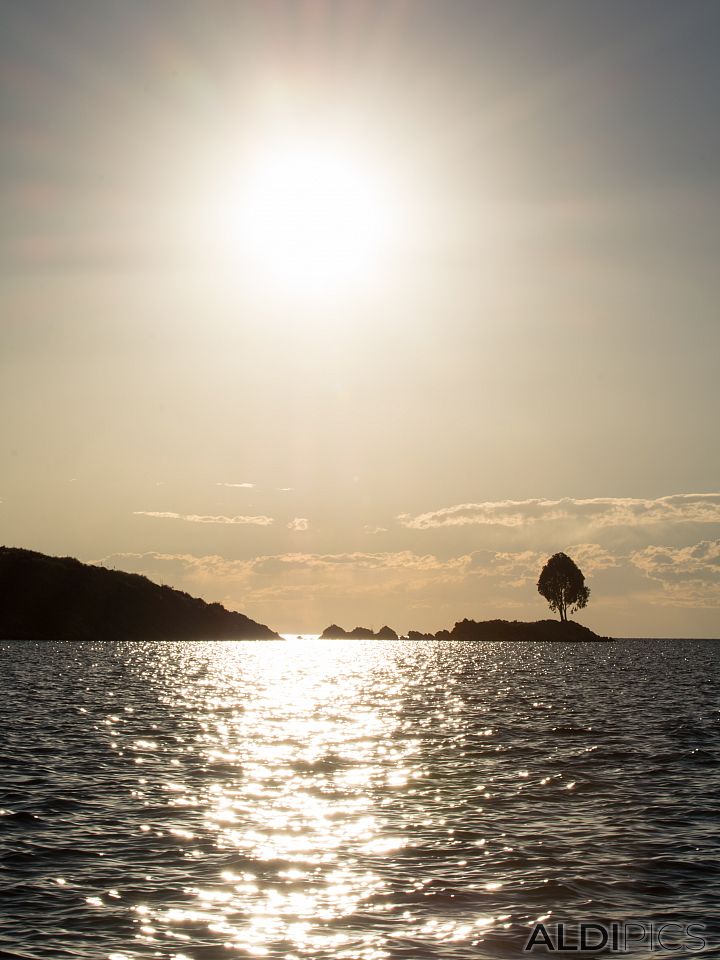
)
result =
(500, 342)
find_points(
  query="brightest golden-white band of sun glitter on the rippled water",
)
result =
(302, 762)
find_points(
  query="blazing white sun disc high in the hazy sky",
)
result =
(313, 216)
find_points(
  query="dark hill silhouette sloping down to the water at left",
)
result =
(59, 598)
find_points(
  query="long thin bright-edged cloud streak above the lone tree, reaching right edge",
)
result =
(598, 512)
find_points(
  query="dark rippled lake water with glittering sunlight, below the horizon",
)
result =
(357, 800)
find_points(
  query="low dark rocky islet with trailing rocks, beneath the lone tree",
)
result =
(538, 630)
